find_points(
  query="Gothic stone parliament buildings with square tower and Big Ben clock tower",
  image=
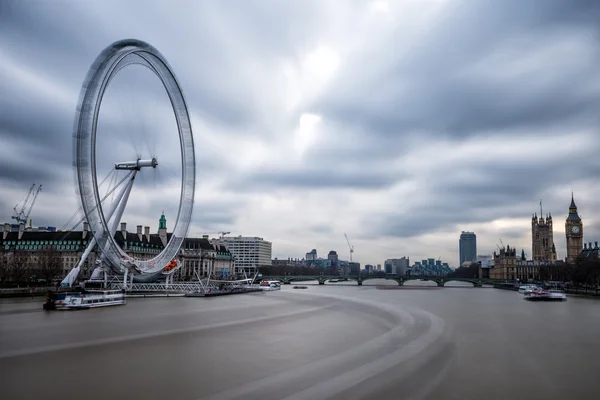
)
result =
(508, 265)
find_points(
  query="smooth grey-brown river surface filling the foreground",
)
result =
(339, 342)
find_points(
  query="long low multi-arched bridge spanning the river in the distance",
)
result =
(439, 280)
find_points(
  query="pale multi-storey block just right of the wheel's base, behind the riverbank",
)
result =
(249, 253)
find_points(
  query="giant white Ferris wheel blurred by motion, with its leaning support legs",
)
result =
(103, 223)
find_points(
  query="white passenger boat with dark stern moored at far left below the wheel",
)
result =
(85, 300)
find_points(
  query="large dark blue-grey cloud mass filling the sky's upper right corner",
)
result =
(427, 88)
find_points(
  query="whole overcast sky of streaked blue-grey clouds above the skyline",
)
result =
(400, 123)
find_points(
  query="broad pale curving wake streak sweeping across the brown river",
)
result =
(415, 345)
